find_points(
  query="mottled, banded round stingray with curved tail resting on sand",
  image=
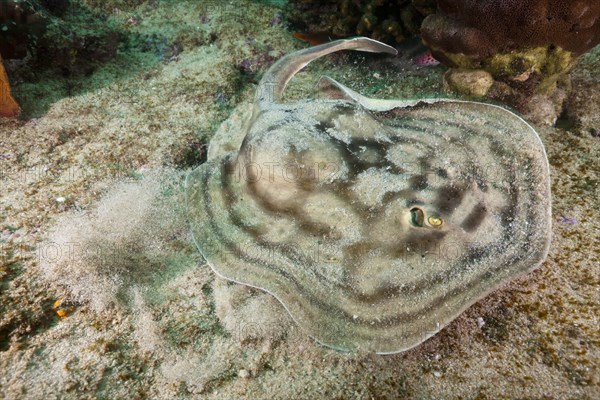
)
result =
(374, 222)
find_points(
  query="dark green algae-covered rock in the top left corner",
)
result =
(67, 36)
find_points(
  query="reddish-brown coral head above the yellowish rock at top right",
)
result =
(481, 28)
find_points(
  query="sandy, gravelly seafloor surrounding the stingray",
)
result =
(103, 294)
